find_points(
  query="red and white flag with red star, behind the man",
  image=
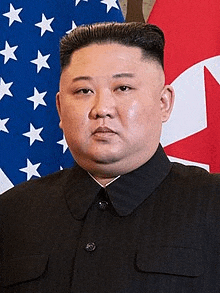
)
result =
(192, 66)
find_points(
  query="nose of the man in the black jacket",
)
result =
(103, 105)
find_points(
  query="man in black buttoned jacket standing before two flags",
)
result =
(125, 219)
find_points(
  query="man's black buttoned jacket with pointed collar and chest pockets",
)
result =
(156, 229)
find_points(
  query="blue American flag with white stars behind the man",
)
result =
(31, 143)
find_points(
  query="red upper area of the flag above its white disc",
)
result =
(192, 31)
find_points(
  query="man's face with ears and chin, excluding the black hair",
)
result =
(111, 104)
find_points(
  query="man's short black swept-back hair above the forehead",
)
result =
(149, 38)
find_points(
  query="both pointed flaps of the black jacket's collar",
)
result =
(126, 193)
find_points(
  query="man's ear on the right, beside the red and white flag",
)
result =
(167, 101)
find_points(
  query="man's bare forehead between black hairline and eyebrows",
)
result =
(107, 59)
